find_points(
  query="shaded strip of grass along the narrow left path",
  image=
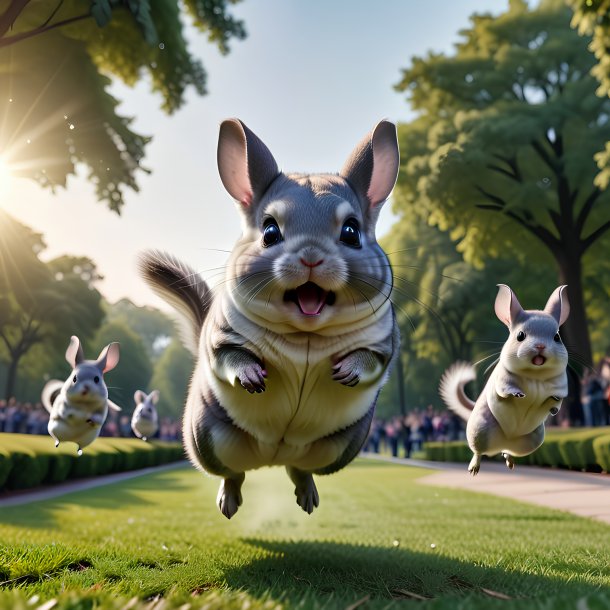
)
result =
(47, 513)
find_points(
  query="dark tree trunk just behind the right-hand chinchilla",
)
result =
(575, 331)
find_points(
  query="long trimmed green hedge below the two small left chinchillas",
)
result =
(28, 460)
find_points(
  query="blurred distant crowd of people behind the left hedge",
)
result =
(32, 418)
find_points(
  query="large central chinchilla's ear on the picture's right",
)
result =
(372, 168)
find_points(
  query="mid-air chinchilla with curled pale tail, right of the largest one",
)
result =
(528, 383)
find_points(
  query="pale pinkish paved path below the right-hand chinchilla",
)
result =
(581, 493)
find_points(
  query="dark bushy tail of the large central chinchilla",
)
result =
(182, 287)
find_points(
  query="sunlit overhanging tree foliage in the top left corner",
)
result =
(55, 63)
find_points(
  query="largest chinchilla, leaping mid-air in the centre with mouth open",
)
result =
(295, 344)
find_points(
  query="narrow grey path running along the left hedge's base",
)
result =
(26, 496)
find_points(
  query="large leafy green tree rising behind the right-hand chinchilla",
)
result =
(501, 154)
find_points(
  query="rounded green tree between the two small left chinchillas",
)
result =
(134, 369)
